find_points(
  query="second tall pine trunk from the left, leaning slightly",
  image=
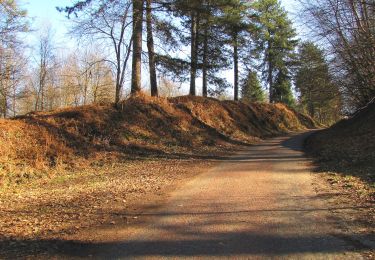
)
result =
(151, 51)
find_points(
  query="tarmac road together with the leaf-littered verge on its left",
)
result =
(261, 201)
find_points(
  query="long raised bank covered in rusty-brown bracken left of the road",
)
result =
(46, 143)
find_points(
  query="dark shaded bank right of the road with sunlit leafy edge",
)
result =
(346, 153)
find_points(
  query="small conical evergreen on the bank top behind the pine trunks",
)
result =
(251, 90)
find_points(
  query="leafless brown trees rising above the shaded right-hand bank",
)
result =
(347, 28)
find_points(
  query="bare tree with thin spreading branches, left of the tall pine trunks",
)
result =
(108, 23)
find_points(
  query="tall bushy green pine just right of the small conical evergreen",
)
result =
(276, 43)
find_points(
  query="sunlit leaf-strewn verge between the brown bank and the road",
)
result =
(51, 208)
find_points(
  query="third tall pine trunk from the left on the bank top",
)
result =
(194, 53)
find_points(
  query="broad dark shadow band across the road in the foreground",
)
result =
(220, 244)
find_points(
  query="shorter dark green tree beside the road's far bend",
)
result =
(318, 95)
